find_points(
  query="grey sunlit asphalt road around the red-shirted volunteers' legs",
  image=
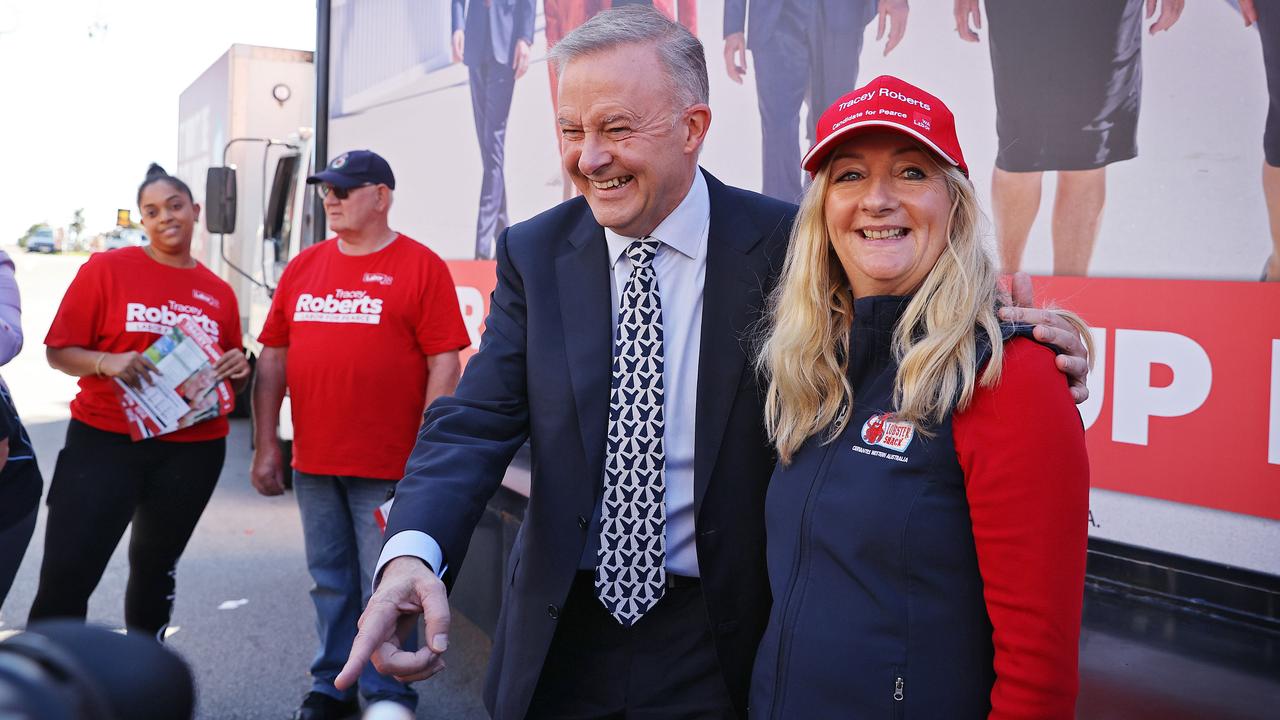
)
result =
(250, 657)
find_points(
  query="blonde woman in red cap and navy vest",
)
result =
(926, 521)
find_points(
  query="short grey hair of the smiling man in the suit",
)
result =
(678, 49)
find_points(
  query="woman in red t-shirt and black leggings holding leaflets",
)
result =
(121, 303)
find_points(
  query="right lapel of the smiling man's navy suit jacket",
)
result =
(733, 276)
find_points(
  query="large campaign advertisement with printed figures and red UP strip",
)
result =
(1122, 161)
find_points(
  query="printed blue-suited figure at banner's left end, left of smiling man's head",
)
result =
(492, 38)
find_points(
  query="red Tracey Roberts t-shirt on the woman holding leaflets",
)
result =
(124, 300)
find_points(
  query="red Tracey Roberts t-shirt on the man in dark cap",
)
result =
(359, 330)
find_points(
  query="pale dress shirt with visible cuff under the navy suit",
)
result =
(682, 270)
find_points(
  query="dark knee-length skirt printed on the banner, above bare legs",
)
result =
(1068, 80)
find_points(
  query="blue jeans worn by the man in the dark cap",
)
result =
(344, 543)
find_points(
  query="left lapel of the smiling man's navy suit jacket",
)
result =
(583, 275)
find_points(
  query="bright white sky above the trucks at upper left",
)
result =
(90, 94)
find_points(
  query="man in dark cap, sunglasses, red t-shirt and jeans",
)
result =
(364, 331)
